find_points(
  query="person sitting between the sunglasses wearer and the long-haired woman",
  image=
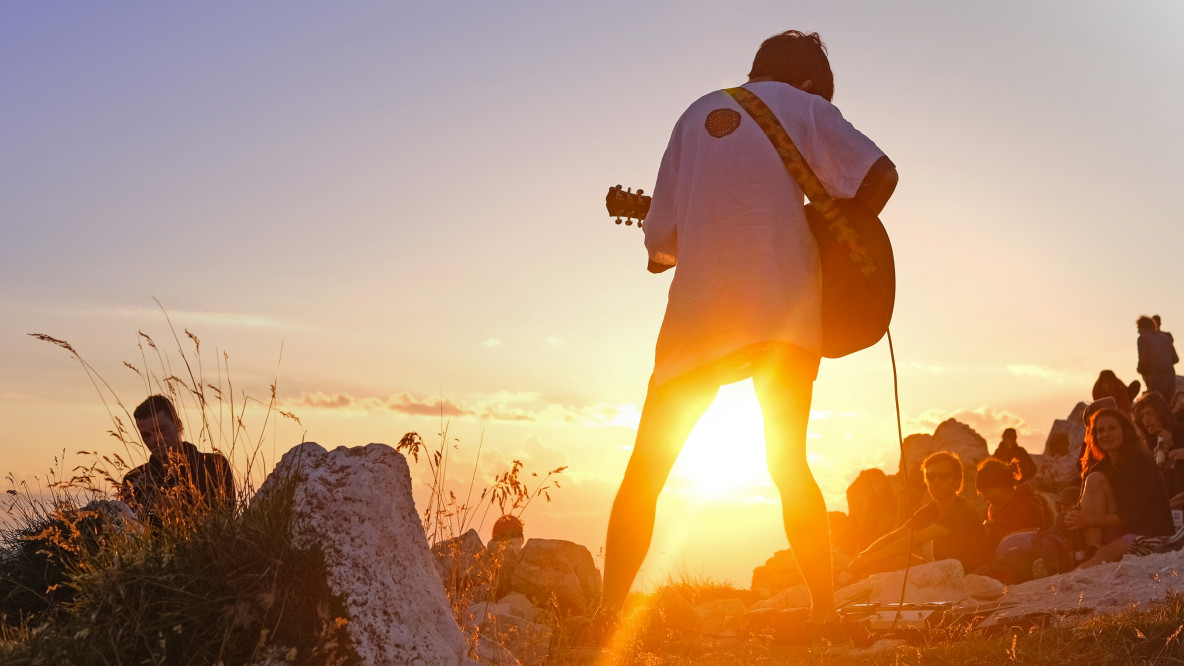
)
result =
(1012, 507)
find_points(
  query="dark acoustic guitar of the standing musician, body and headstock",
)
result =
(855, 258)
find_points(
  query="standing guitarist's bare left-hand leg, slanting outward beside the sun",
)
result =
(668, 418)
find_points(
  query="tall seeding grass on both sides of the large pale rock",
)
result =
(222, 587)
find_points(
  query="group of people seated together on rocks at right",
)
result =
(1122, 507)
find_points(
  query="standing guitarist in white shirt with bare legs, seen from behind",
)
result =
(745, 299)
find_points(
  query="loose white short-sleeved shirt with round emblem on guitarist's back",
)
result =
(729, 215)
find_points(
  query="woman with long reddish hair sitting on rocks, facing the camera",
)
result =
(1123, 496)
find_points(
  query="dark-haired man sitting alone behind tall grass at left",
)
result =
(178, 482)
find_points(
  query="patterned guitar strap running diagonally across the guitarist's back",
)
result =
(838, 226)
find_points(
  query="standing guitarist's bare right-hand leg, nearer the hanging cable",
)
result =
(786, 388)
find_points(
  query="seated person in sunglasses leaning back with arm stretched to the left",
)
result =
(950, 522)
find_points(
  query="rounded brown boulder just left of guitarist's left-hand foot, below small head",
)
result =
(562, 569)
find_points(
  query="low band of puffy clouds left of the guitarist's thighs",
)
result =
(510, 407)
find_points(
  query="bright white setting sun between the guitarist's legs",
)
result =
(725, 454)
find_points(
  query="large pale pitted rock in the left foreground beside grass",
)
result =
(356, 505)
